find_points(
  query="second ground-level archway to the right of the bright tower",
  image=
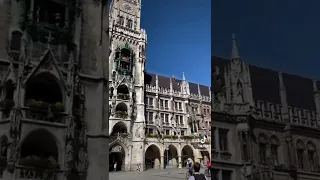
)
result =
(170, 156)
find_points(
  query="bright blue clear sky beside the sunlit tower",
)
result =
(179, 38)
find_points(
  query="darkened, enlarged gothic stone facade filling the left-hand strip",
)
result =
(54, 89)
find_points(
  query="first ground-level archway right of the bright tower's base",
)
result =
(152, 157)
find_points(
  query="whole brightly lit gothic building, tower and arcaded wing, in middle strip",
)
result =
(155, 121)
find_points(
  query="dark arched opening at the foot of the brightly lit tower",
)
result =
(117, 155)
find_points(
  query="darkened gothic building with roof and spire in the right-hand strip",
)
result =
(266, 123)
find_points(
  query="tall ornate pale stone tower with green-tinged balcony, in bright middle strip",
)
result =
(127, 63)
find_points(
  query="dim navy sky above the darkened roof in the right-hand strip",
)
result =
(279, 34)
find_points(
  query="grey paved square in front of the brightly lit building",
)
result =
(166, 174)
